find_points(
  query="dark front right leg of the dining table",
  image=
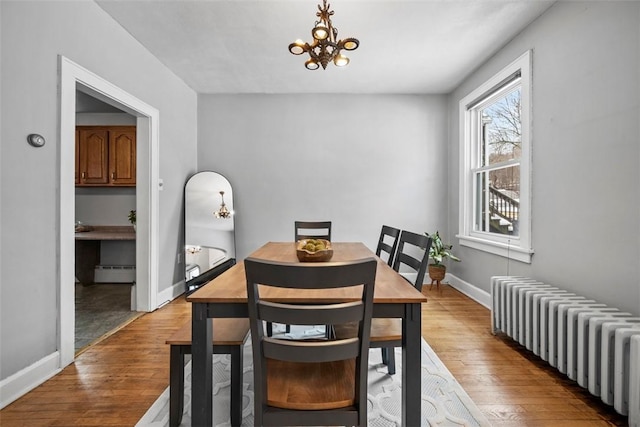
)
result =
(411, 366)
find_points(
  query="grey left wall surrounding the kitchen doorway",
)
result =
(33, 35)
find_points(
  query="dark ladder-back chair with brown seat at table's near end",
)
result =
(321, 382)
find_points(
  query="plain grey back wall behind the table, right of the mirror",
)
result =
(359, 161)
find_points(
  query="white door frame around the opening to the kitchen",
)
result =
(74, 77)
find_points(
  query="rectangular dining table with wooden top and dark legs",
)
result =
(226, 296)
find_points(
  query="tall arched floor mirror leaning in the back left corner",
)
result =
(209, 233)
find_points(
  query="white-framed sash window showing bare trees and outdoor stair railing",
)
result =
(495, 138)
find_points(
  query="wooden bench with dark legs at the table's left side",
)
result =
(229, 338)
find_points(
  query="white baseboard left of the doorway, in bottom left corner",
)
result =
(25, 380)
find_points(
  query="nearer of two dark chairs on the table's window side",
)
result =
(386, 333)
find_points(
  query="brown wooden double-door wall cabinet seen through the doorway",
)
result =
(105, 156)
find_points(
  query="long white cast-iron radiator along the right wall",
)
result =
(595, 345)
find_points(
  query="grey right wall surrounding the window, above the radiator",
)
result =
(586, 153)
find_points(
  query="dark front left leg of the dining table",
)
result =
(201, 350)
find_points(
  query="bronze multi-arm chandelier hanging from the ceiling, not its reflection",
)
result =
(326, 46)
